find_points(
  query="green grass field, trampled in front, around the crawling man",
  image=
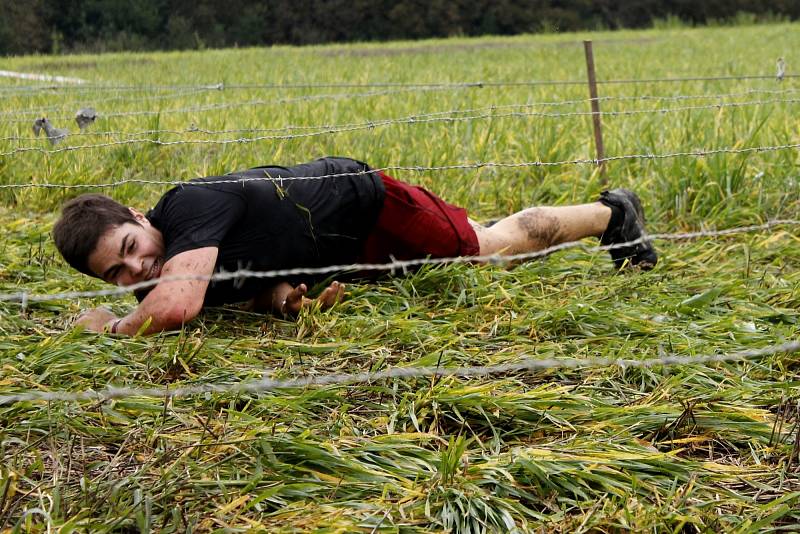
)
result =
(691, 448)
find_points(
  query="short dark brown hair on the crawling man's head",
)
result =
(83, 220)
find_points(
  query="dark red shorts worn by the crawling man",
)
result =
(415, 223)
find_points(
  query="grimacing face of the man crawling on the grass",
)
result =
(129, 253)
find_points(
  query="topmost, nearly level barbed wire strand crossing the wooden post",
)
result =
(362, 85)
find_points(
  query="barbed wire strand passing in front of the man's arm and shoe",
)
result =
(395, 266)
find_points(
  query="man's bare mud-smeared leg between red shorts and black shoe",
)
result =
(534, 229)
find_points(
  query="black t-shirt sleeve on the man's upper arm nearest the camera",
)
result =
(199, 216)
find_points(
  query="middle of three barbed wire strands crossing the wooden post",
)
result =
(488, 112)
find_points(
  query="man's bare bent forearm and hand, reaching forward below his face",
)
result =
(170, 304)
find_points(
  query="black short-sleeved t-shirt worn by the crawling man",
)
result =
(272, 224)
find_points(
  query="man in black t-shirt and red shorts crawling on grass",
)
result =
(243, 220)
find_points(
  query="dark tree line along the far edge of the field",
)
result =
(59, 26)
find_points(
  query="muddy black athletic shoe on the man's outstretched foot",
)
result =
(630, 228)
